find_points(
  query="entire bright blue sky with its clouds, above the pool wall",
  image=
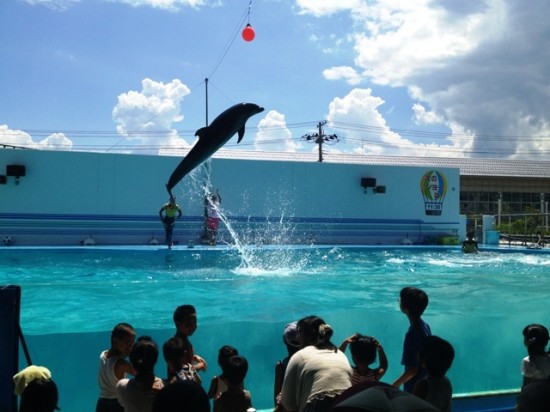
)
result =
(464, 78)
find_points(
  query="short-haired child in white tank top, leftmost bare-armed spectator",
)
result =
(113, 366)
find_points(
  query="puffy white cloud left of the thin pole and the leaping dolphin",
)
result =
(148, 115)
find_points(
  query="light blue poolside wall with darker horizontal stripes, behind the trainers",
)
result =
(66, 197)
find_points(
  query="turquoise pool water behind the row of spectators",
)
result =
(71, 299)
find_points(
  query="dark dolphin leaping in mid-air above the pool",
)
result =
(212, 137)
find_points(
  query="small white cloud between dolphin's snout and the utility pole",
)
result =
(273, 134)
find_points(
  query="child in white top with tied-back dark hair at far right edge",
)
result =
(537, 364)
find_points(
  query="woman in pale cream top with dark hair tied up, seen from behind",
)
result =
(318, 372)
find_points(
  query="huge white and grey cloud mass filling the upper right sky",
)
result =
(480, 66)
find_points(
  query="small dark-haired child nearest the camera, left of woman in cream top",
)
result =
(235, 398)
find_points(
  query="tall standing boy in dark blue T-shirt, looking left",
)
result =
(412, 302)
